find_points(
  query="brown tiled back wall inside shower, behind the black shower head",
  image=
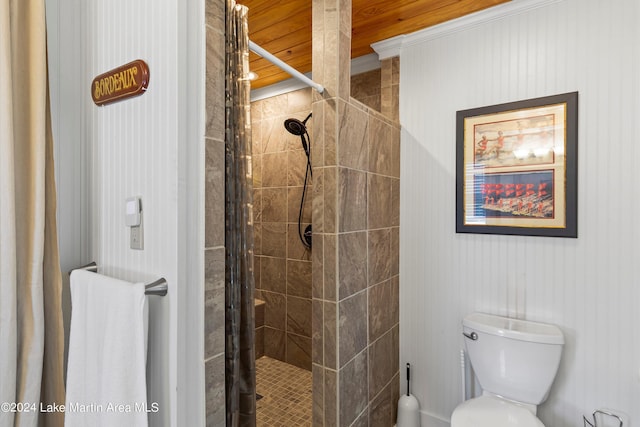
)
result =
(282, 263)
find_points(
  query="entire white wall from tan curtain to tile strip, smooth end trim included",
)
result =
(149, 146)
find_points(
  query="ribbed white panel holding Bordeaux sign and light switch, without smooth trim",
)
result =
(135, 153)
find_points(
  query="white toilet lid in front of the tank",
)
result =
(492, 411)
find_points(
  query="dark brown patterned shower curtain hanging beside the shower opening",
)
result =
(240, 331)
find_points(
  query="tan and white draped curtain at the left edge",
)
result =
(31, 340)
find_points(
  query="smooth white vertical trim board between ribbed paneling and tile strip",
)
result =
(191, 209)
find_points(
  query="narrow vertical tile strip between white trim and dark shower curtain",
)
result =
(214, 251)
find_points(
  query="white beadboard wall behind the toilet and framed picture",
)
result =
(588, 286)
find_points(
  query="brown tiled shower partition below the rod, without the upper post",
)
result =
(357, 314)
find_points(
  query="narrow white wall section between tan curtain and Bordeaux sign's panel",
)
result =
(71, 153)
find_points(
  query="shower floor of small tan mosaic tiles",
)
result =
(286, 394)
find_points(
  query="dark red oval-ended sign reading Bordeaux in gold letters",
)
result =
(120, 83)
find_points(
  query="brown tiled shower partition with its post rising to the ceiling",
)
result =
(356, 232)
